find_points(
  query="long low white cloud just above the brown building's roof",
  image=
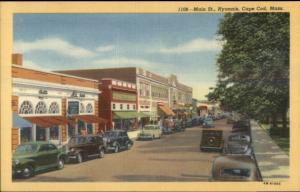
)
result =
(127, 62)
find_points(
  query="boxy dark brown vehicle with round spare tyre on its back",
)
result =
(212, 140)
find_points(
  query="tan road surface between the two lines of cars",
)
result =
(174, 157)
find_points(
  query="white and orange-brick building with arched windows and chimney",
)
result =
(55, 106)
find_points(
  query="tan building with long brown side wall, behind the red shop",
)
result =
(155, 94)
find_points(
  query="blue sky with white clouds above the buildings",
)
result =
(180, 44)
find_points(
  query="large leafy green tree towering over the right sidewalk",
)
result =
(253, 65)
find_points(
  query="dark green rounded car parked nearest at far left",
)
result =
(32, 157)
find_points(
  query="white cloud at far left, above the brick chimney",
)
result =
(54, 44)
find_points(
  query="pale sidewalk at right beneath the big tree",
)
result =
(273, 163)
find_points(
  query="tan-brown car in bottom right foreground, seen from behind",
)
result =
(234, 168)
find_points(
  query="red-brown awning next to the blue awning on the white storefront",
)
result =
(48, 121)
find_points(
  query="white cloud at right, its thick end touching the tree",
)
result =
(196, 45)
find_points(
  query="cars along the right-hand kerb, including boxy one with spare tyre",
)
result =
(237, 161)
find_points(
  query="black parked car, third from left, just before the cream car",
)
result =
(117, 140)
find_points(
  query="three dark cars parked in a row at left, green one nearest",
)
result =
(33, 157)
